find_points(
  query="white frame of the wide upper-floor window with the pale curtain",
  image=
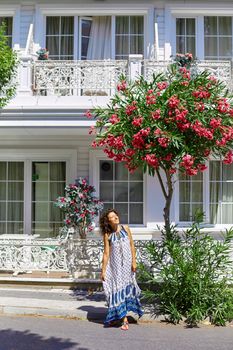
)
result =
(102, 10)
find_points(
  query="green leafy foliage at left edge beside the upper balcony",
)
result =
(9, 62)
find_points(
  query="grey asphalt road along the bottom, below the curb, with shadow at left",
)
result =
(37, 333)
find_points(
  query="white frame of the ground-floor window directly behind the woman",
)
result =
(94, 159)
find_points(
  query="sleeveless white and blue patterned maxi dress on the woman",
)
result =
(120, 286)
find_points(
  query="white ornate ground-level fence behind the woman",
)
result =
(21, 255)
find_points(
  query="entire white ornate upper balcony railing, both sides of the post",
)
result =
(99, 78)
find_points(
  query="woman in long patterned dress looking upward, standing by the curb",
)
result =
(118, 270)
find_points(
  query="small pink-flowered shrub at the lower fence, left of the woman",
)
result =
(81, 207)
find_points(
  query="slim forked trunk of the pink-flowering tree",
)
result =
(167, 192)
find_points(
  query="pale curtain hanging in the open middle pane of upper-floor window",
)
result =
(99, 46)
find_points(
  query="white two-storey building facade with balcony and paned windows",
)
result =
(44, 140)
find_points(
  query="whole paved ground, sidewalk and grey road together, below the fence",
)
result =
(57, 319)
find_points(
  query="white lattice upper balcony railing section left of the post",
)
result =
(81, 78)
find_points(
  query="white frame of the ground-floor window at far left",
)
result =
(30, 156)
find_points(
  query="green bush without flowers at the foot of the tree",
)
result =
(194, 272)
